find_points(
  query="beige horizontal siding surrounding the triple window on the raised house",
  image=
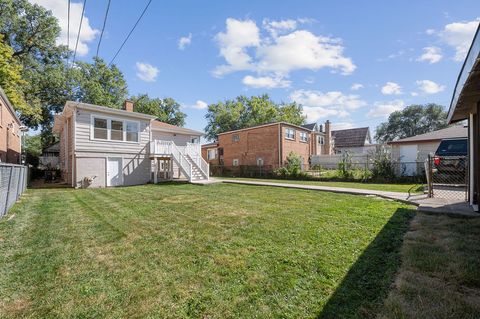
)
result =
(85, 143)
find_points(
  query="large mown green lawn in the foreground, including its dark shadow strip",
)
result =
(216, 251)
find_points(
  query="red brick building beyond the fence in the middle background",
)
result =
(267, 145)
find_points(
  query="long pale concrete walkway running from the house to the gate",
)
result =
(423, 203)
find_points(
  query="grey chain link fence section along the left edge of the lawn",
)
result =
(13, 182)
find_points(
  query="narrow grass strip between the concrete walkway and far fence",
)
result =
(403, 188)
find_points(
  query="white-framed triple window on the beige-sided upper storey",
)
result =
(115, 130)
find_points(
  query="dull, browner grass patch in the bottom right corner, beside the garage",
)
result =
(440, 274)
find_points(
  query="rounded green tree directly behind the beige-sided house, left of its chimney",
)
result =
(98, 83)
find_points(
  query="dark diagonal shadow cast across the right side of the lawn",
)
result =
(366, 285)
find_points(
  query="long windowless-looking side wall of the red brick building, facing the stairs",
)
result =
(252, 144)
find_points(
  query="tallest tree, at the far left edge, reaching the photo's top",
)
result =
(31, 31)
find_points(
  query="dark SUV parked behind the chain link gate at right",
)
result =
(451, 155)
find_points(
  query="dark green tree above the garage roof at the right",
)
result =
(412, 120)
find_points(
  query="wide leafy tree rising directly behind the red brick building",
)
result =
(245, 111)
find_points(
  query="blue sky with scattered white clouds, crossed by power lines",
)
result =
(352, 62)
